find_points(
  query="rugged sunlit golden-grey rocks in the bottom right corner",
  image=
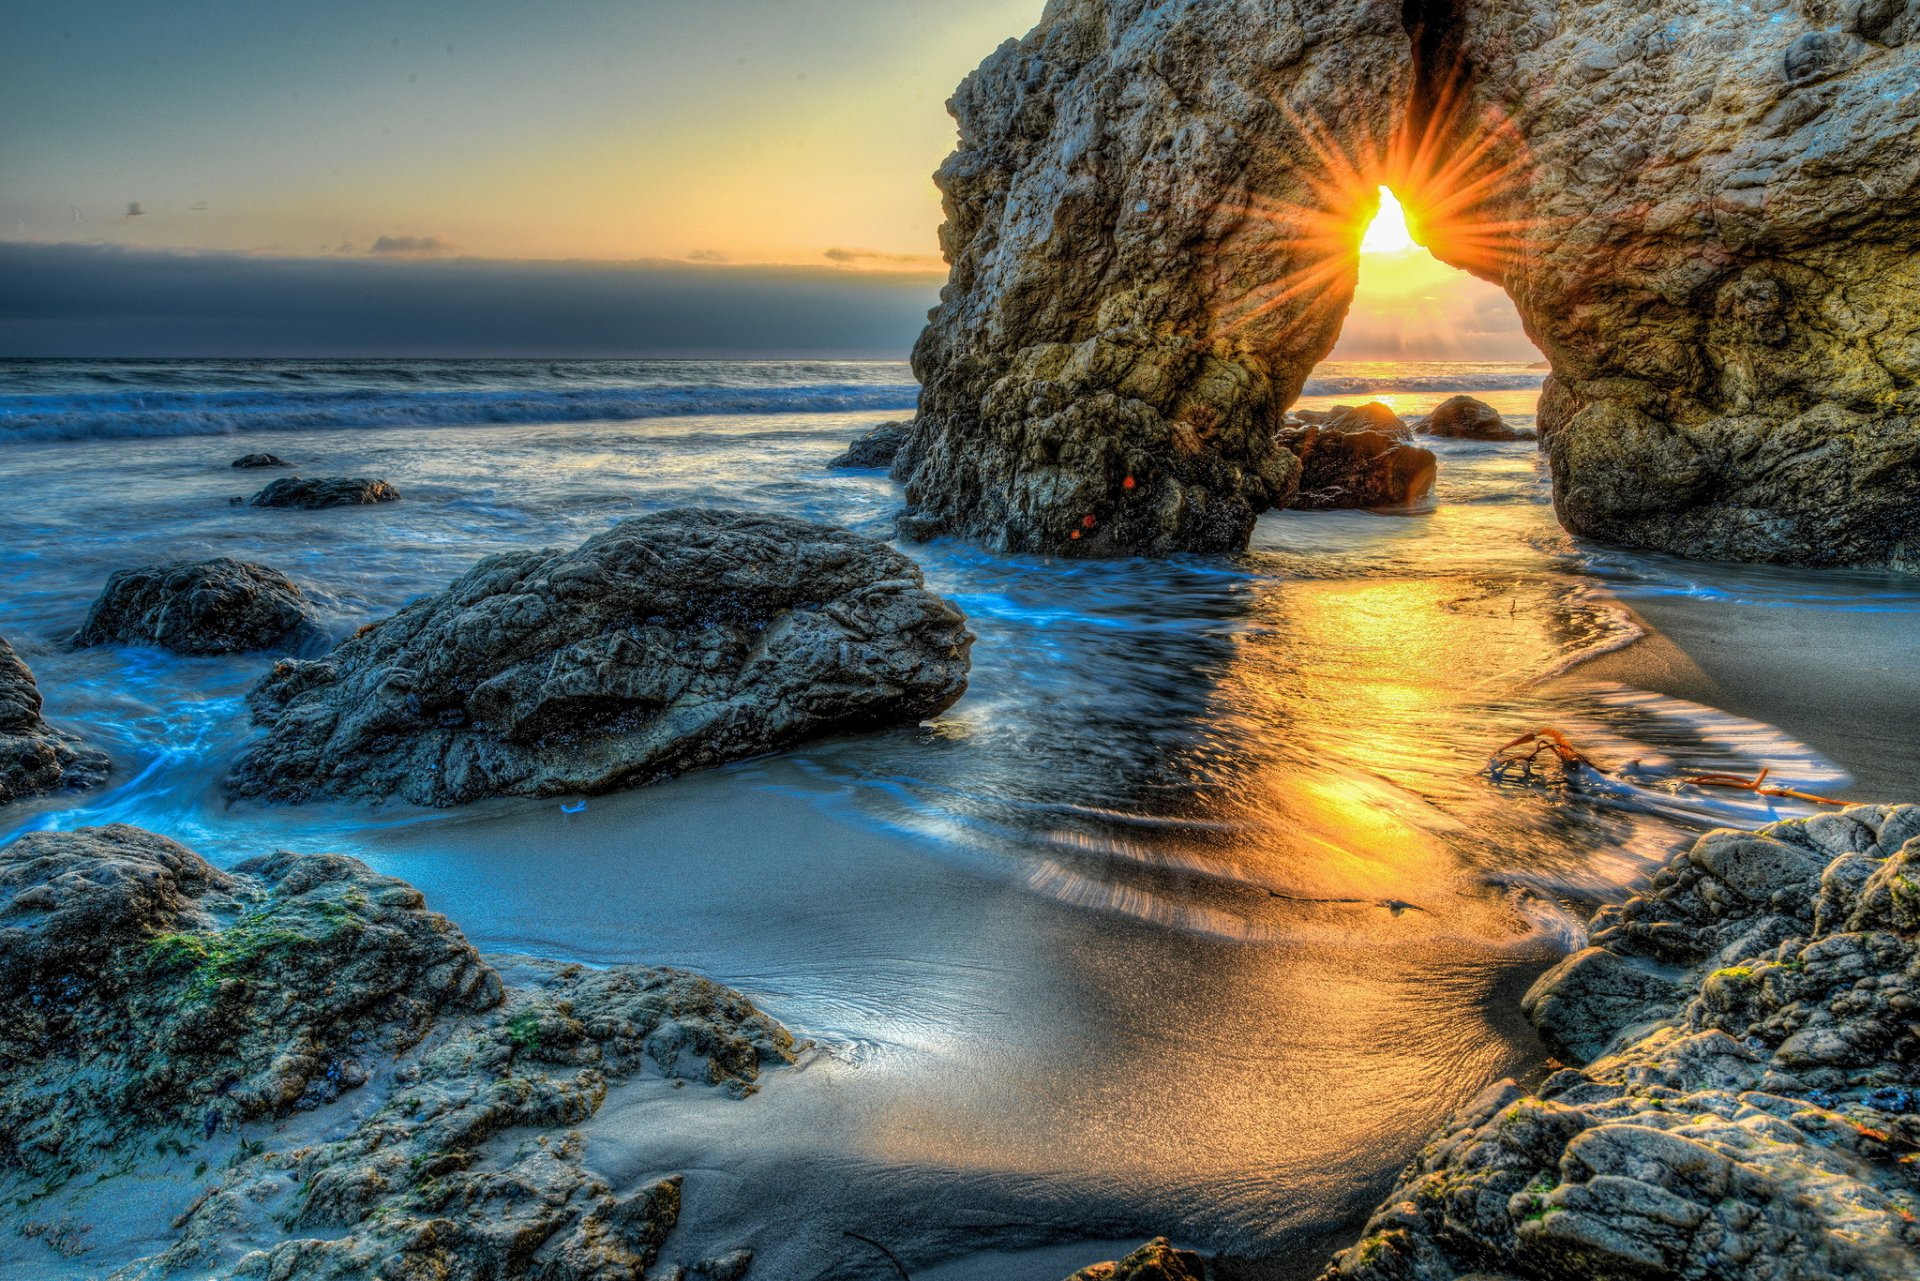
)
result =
(1762, 1123)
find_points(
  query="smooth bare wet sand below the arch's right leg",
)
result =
(1848, 683)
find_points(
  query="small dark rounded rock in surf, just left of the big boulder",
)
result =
(197, 608)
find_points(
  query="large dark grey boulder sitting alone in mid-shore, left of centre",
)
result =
(667, 644)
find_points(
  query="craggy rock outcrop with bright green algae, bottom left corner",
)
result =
(162, 1017)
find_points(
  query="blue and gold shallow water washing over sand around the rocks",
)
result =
(1195, 915)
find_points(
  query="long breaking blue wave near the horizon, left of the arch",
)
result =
(228, 414)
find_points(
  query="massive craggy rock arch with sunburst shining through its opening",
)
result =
(1708, 216)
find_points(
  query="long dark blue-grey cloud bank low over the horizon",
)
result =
(107, 301)
